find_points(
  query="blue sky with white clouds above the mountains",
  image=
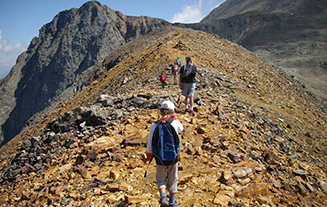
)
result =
(20, 20)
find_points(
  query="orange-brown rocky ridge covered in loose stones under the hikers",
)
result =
(255, 140)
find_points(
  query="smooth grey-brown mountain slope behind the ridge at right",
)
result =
(289, 34)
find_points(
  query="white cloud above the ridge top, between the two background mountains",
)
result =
(189, 14)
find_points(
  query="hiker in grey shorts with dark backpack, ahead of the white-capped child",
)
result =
(187, 84)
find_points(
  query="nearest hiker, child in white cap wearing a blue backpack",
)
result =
(163, 145)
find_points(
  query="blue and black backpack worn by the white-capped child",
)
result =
(165, 143)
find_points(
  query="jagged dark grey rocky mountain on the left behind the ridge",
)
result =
(54, 66)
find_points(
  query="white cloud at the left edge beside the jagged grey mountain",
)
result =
(8, 55)
